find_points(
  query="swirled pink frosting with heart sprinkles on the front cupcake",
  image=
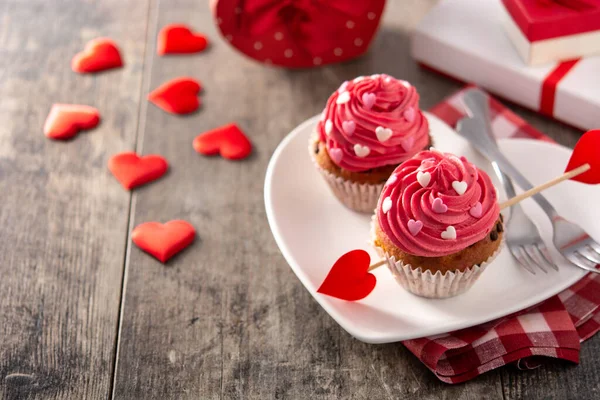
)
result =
(414, 216)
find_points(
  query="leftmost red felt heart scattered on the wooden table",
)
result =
(65, 120)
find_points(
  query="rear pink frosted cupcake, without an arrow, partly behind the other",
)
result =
(369, 126)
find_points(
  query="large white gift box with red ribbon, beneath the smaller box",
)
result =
(466, 40)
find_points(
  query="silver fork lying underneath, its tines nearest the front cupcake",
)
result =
(521, 235)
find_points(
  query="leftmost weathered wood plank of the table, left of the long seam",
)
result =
(63, 217)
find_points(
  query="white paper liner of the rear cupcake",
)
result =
(361, 197)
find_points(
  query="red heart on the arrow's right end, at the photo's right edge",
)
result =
(587, 150)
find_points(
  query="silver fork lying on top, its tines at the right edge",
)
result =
(570, 239)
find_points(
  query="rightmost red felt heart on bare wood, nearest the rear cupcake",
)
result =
(228, 140)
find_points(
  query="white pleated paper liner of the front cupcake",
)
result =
(434, 286)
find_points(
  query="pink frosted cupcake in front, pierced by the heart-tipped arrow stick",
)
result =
(438, 224)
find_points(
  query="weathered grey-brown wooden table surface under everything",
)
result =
(86, 315)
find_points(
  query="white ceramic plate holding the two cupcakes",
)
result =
(313, 230)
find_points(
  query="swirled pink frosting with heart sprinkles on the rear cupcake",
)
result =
(372, 122)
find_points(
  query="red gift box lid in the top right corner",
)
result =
(547, 19)
